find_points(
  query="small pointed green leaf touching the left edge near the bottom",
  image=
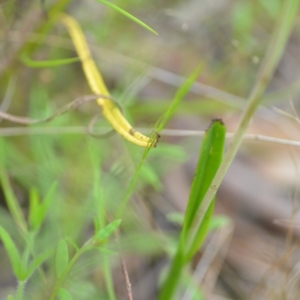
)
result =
(13, 254)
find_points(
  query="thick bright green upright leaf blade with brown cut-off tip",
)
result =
(210, 157)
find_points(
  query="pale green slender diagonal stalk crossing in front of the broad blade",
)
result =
(271, 60)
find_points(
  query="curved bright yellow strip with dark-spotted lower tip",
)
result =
(110, 111)
